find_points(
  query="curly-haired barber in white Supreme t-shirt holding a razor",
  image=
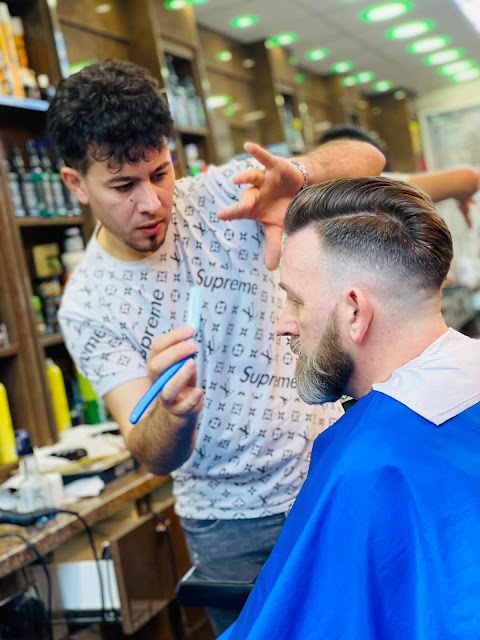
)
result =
(238, 445)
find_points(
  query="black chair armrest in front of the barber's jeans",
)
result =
(196, 592)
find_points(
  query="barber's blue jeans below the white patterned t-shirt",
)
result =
(233, 550)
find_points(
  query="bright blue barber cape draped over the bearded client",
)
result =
(383, 541)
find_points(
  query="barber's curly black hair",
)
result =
(108, 111)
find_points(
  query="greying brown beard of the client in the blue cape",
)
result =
(323, 376)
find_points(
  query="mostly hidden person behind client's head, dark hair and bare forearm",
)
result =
(459, 183)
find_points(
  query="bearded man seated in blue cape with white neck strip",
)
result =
(382, 541)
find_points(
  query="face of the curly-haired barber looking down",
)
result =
(133, 202)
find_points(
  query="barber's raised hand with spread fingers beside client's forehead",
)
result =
(266, 199)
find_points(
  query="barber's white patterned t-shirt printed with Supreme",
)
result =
(254, 435)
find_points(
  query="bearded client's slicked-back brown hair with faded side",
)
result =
(378, 223)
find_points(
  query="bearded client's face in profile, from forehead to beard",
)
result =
(310, 318)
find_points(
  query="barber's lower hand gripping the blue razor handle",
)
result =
(180, 397)
